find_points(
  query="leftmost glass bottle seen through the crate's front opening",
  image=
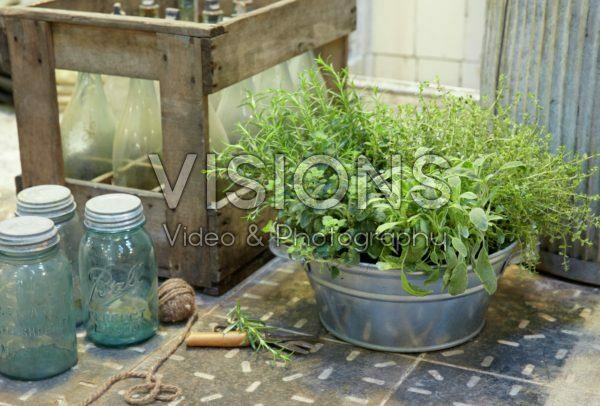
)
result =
(87, 130)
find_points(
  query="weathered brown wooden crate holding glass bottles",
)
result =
(191, 61)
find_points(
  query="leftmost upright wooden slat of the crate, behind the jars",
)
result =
(32, 58)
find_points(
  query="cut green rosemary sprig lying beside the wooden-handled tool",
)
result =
(256, 333)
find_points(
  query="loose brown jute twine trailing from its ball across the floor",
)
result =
(153, 389)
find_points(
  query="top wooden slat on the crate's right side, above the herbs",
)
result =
(286, 29)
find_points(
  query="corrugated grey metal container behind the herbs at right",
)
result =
(552, 49)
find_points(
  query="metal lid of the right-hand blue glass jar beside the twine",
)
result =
(114, 212)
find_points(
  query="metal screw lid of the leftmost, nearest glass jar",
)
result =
(24, 235)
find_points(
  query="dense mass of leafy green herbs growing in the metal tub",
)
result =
(503, 180)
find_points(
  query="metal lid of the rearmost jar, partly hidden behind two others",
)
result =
(50, 201)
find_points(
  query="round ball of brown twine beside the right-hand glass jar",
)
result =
(176, 301)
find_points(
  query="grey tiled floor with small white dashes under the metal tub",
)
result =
(541, 345)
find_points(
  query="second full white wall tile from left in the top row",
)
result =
(440, 28)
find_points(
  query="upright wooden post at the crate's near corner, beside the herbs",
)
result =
(185, 130)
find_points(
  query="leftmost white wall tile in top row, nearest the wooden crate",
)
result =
(393, 26)
